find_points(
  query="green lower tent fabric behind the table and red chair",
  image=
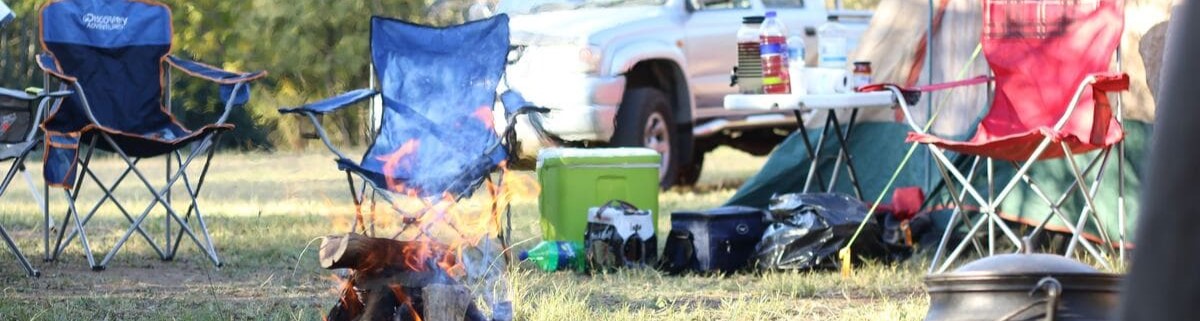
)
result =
(879, 147)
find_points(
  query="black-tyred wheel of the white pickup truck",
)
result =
(645, 122)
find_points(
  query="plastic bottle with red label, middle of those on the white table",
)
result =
(773, 50)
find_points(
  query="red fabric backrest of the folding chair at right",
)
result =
(1040, 52)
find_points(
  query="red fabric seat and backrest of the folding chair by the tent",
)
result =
(1040, 53)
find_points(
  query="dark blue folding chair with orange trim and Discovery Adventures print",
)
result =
(115, 54)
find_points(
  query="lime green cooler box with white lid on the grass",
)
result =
(574, 180)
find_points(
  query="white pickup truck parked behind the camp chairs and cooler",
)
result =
(646, 74)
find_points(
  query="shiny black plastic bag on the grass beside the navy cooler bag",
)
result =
(807, 232)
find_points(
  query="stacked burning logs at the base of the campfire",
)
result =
(395, 281)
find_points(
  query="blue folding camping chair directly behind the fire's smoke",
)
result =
(436, 136)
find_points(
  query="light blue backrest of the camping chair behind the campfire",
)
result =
(439, 88)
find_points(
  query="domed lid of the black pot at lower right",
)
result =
(1025, 264)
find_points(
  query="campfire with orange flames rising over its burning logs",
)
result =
(445, 263)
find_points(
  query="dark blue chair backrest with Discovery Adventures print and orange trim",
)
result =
(116, 49)
